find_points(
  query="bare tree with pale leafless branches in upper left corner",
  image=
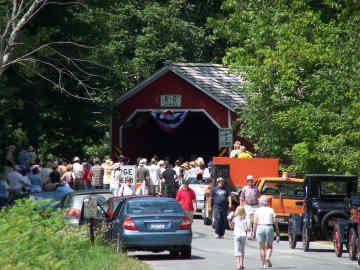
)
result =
(36, 53)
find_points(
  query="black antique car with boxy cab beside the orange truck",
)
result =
(326, 200)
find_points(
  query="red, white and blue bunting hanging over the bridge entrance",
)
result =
(169, 120)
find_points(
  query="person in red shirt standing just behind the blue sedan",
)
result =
(187, 199)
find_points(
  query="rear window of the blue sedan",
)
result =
(153, 207)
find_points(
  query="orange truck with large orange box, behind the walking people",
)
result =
(286, 193)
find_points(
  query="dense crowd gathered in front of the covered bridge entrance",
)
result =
(24, 173)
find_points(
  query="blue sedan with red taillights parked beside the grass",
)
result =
(152, 224)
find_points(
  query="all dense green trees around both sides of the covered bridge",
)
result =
(300, 59)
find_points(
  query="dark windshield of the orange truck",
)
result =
(291, 189)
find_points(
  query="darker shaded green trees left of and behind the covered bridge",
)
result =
(126, 41)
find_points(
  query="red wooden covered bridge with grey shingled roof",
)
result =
(181, 110)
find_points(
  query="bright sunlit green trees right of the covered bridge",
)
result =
(301, 61)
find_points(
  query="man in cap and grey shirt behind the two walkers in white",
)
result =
(249, 200)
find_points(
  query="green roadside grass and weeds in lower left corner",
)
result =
(33, 238)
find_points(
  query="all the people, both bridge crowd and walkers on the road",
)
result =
(24, 174)
